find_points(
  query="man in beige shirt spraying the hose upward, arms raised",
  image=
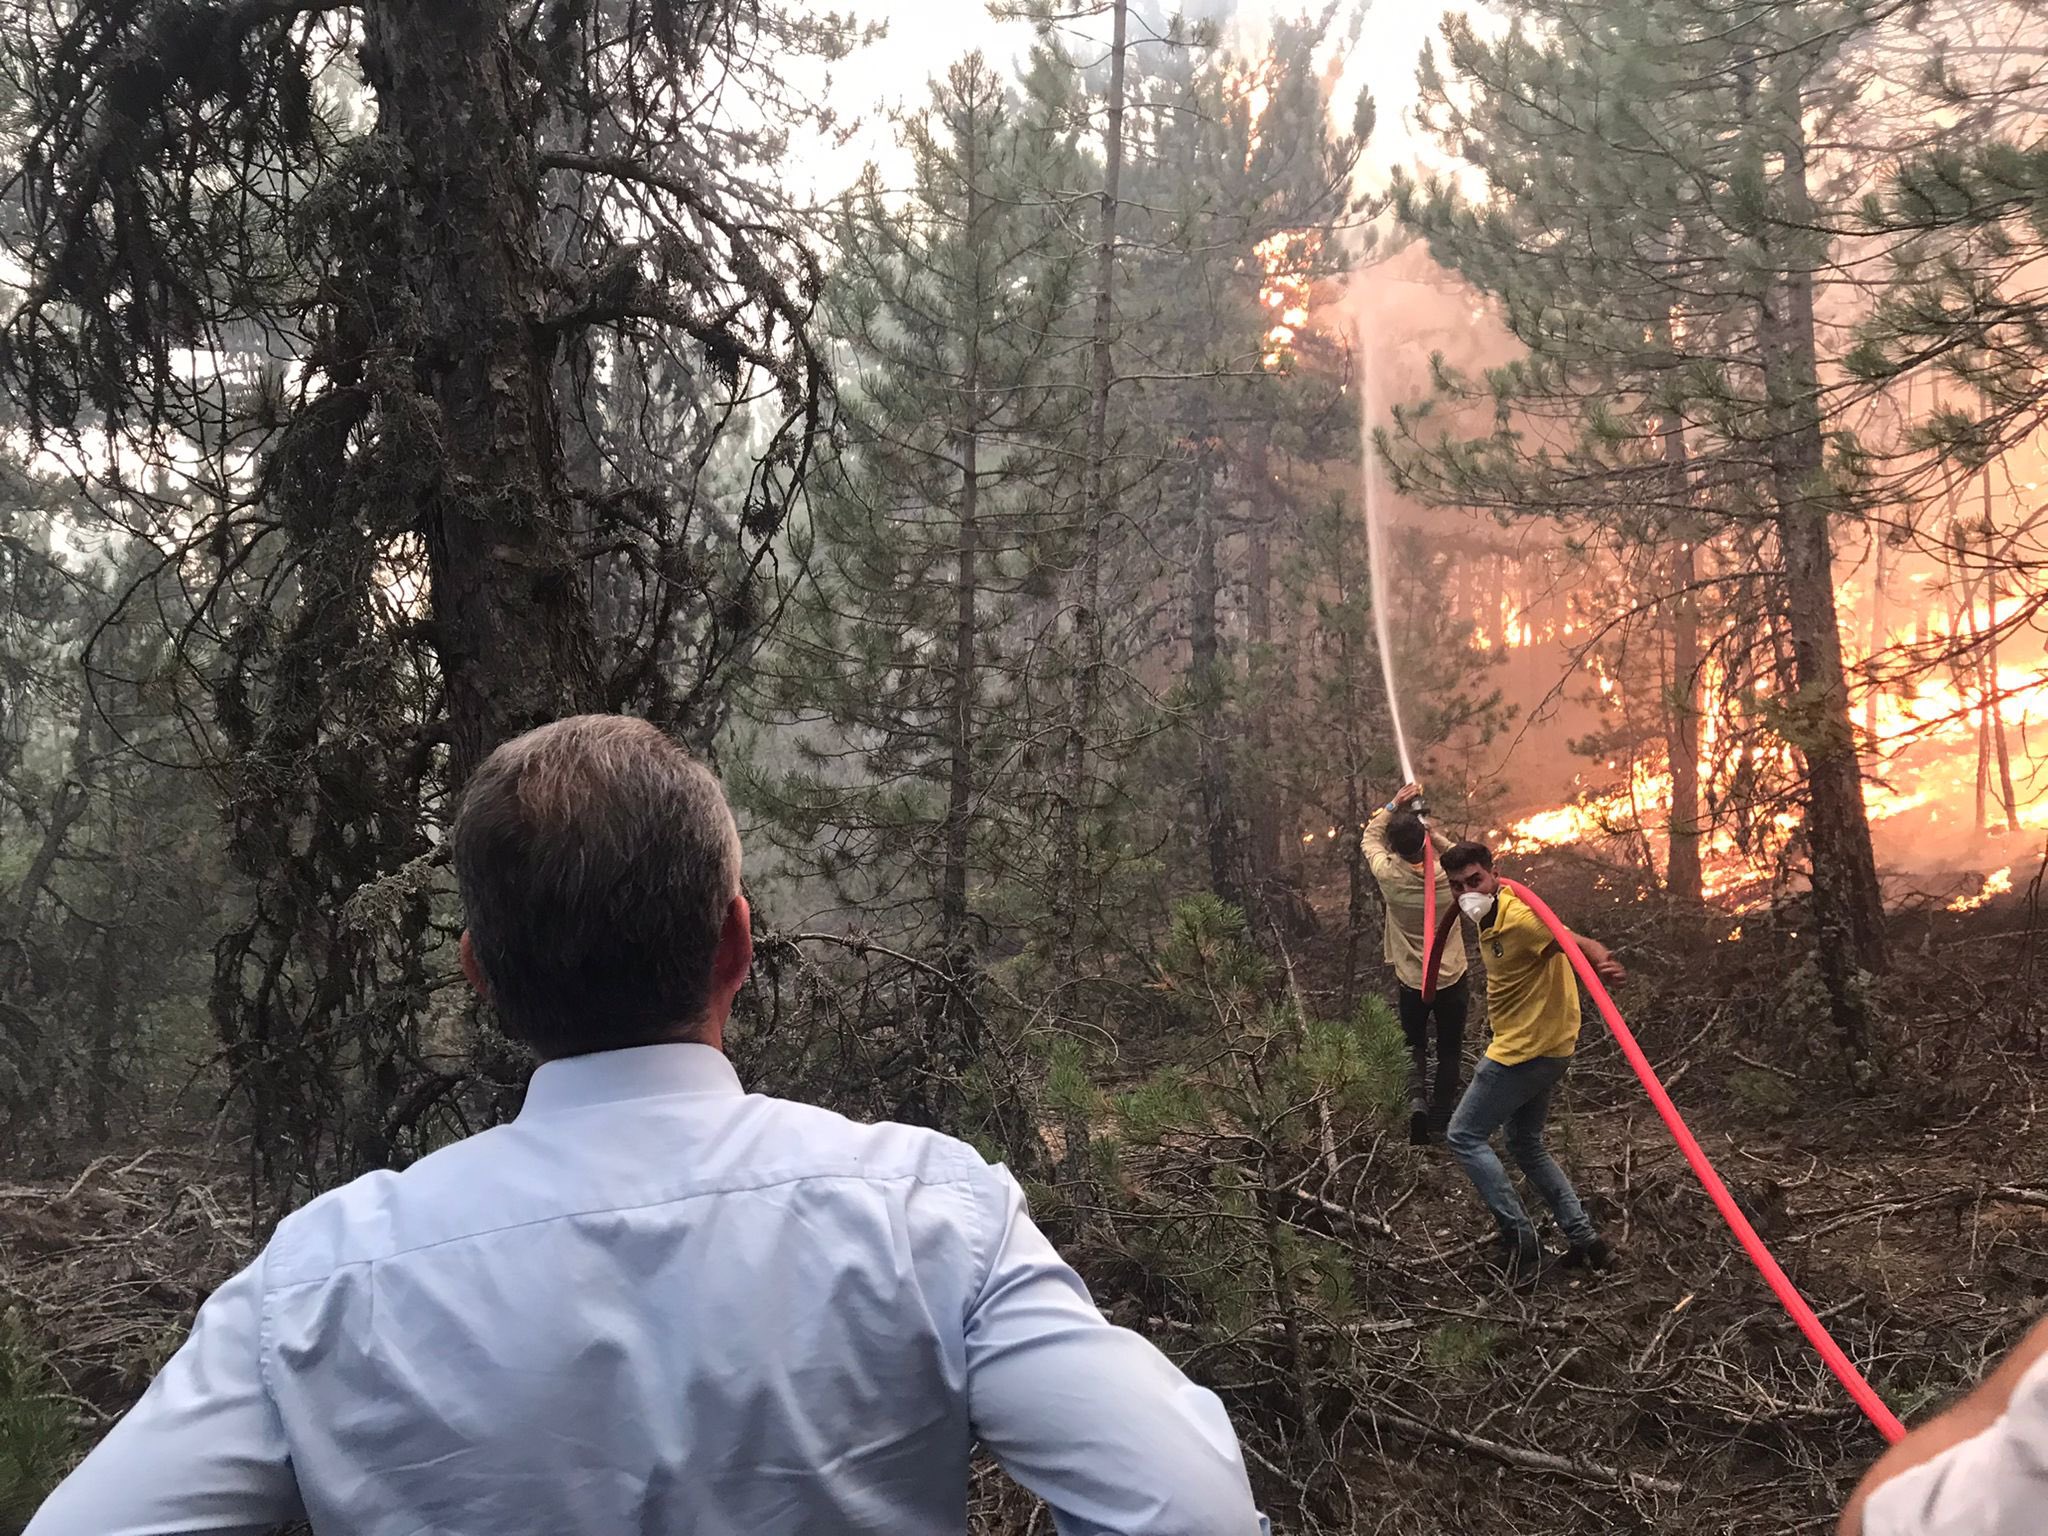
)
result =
(1394, 843)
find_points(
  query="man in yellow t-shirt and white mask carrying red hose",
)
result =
(1533, 1007)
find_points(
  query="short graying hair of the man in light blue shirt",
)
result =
(597, 863)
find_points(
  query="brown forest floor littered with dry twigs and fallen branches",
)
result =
(1666, 1396)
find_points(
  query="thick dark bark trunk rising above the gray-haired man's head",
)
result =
(511, 624)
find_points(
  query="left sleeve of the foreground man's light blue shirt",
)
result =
(204, 1451)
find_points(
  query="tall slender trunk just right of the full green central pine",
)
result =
(1076, 800)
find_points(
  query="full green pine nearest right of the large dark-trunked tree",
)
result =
(908, 640)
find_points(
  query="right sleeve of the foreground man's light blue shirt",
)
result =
(1089, 1416)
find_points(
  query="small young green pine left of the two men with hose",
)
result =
(1234, 1168)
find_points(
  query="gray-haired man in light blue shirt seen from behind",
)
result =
(652, 1304)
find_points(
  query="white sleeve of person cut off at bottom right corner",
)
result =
(1990, 1486)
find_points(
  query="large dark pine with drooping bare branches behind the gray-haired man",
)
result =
(339, 282)
